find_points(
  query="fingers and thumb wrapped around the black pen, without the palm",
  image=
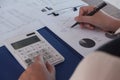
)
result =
(85, 21)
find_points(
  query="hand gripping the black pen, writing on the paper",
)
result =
(100, 19)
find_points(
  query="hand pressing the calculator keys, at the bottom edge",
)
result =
(39, 71)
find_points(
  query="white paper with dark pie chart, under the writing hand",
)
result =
(83, 40)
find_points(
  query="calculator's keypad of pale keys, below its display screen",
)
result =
(49, 54)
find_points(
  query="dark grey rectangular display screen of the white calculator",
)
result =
(25, 42)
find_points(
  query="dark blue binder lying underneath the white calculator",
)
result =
(10, 69)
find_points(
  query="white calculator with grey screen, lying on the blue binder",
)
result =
(26, 47)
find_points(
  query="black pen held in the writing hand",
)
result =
(96, 9)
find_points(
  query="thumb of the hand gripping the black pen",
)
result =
(84, 19)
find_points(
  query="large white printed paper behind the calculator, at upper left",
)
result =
(19, 16)
